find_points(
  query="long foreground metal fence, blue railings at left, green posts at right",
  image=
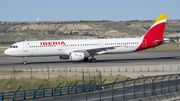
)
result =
(127, 89)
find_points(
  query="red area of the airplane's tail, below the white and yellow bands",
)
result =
(155, 33)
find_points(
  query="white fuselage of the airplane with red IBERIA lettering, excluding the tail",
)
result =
(52, 48)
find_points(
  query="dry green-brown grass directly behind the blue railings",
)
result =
(12, 84)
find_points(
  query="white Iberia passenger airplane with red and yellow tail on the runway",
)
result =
(83, 49)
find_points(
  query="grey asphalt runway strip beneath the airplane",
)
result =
(146, 58)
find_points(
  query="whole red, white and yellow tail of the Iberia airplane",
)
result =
(154, 36)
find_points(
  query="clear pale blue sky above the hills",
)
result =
(70, 10)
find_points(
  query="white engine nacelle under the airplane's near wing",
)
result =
(76, 56)
